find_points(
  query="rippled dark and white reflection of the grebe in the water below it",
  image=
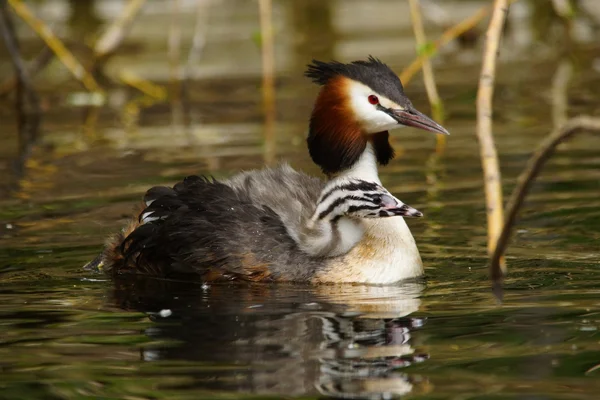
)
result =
(341, 341)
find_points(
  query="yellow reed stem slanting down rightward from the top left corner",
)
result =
(62, 53)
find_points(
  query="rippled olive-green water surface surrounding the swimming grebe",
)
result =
(69, 334)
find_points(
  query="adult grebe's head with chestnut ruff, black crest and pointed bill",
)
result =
(358, 104)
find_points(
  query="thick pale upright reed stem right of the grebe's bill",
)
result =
(489, 157)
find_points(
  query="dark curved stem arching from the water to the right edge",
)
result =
(527, 177)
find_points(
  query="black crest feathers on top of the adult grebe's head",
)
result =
(373, 72)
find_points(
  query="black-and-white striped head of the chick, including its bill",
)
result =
(356, 198)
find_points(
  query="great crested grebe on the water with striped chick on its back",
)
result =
(278, 224)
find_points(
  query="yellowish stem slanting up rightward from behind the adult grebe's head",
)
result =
(449, 35)
